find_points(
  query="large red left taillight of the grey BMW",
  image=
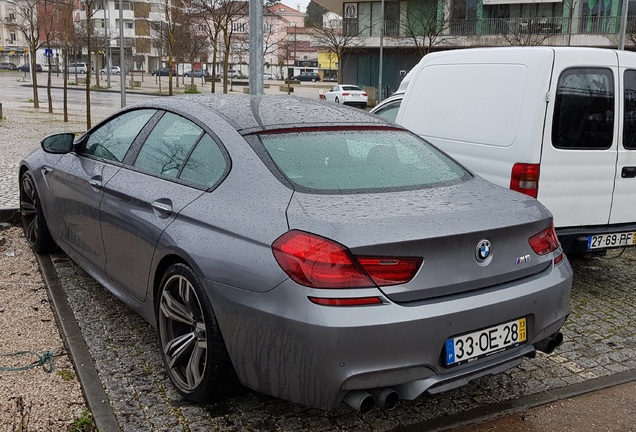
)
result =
(318, 262)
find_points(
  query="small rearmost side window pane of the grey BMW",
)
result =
(206, 164)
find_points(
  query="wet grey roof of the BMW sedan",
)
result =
(249, 114)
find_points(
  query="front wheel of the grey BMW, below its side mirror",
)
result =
(36, 231)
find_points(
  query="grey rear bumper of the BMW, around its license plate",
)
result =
(283, 345)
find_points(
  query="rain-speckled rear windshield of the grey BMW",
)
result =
(359, 160)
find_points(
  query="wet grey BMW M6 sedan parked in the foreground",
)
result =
(317, 253)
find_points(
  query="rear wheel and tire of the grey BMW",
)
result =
(199, 371)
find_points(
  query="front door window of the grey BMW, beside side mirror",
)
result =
(112, 140)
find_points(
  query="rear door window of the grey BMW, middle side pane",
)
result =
(168, 145)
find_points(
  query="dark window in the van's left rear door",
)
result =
(584, 109)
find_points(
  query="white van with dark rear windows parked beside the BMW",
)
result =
(558, 124)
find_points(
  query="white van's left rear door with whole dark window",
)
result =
(580, 145)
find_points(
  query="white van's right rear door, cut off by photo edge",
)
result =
(624, 204)
